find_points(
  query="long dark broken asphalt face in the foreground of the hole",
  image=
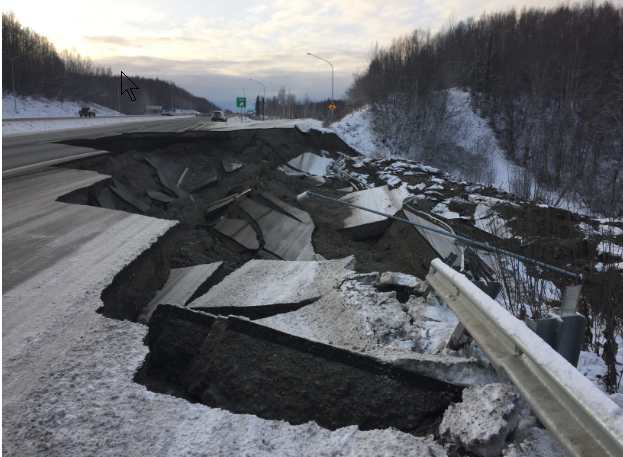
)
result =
(246, 368)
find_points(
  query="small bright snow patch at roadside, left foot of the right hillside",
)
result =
(355, 129)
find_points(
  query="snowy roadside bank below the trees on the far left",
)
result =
(44, 107)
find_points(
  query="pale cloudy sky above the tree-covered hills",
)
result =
(214, 48)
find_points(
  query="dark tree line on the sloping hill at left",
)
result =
(33, 66)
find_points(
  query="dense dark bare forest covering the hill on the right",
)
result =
(549, 81)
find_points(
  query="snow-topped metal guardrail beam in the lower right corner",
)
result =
(583, 418)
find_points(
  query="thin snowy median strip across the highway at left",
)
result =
(18, 127)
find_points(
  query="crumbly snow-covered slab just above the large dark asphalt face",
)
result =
(357, 317)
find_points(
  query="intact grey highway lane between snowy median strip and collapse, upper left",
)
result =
(28, 149)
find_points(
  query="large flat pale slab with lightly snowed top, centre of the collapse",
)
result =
(267, 284)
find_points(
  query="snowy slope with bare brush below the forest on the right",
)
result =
(471, 150)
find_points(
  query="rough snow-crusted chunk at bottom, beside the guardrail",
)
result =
(481, 423)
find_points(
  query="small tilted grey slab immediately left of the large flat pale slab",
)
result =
(180, 287)
